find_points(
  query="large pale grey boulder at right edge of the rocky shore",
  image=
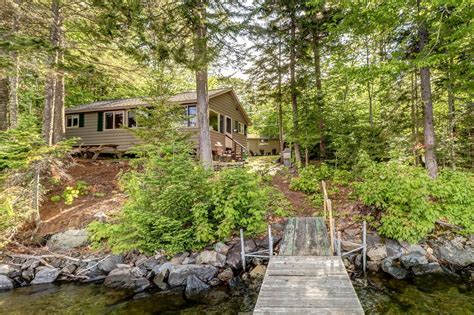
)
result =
(457, 251)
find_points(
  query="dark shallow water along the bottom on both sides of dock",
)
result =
(379, 295)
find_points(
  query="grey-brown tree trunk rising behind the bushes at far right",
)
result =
(430, 154)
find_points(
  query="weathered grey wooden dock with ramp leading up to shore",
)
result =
(305, 278)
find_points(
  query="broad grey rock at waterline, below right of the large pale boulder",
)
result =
(127, 278)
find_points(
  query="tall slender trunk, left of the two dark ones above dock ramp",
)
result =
(294, 100)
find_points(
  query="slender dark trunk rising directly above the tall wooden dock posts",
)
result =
(319, 91)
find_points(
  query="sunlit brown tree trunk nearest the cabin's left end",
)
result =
(50, 88)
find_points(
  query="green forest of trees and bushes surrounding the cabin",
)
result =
(378, 93)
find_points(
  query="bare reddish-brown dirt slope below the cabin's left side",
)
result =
(104, 195)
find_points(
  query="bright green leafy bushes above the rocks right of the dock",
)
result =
(411, 202)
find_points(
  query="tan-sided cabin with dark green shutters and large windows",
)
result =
(100, 125)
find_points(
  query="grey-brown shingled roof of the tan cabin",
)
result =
(185, 97)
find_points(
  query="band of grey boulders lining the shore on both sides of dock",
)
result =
(221, 263)
